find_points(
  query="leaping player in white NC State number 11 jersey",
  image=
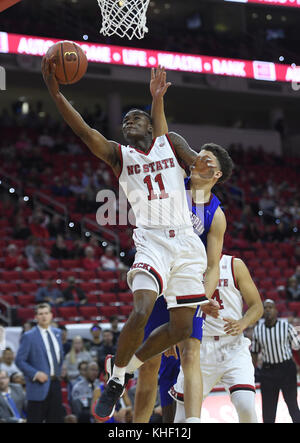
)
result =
(170, 257)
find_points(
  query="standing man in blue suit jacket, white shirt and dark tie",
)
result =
(40, 358)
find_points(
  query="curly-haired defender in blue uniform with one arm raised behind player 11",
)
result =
(209, 224)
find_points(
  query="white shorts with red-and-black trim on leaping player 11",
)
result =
(176, 260)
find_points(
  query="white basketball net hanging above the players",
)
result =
(124, 17)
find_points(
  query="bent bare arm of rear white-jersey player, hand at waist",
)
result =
(251, 296)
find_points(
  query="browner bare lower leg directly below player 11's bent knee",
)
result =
(146, 390)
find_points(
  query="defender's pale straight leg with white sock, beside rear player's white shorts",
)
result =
(193, 392)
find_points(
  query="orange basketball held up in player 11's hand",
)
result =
(71, 62)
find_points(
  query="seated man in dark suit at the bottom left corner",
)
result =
(12, 401)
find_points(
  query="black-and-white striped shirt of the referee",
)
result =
(275, 343)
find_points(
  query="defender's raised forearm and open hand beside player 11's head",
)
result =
(158, 88)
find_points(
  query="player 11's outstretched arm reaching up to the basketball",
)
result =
(101, 147)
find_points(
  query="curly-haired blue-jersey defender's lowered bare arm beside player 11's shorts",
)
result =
(215, 238)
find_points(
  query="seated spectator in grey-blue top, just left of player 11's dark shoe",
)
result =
(82, 394)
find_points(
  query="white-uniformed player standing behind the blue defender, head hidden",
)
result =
(224, 354)
